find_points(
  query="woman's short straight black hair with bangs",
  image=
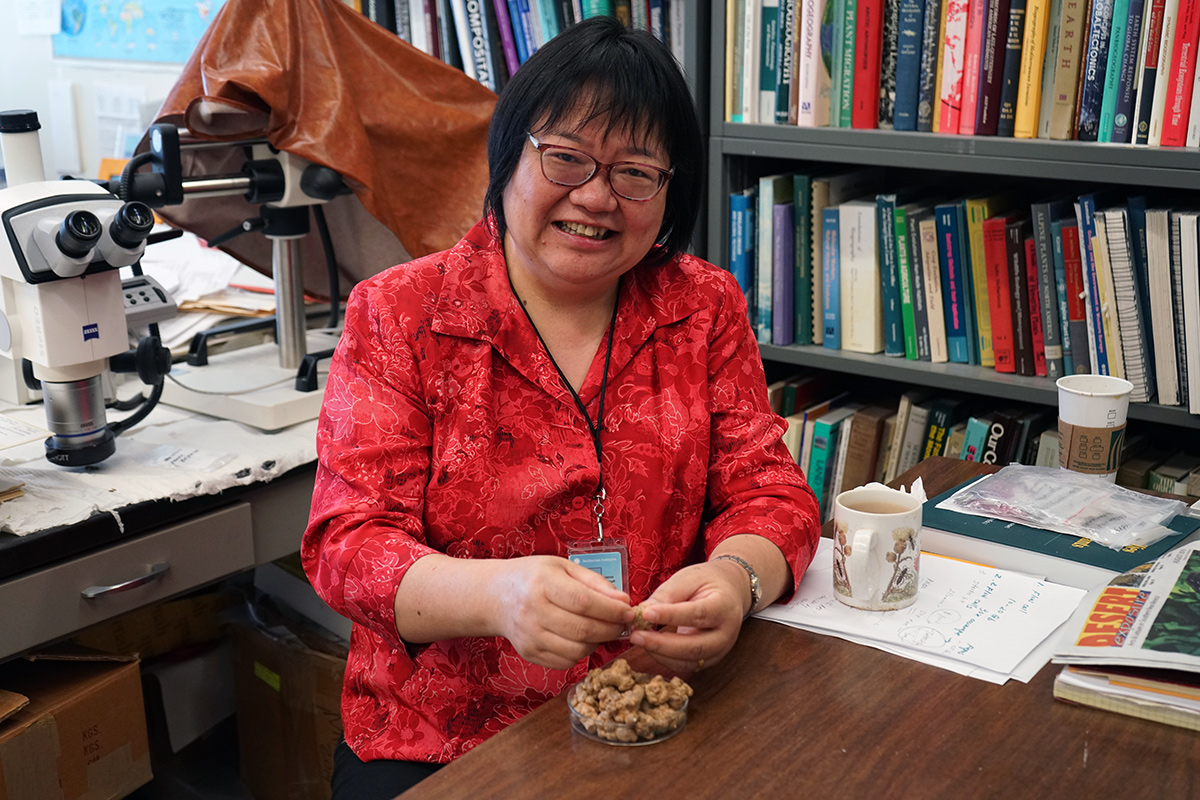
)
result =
(632, 82)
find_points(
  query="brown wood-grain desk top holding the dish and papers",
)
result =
(791, 714)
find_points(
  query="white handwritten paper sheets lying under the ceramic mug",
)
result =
(971, 619)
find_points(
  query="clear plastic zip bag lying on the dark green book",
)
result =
(1069, 503)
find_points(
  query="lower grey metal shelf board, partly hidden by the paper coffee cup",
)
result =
(956, 377)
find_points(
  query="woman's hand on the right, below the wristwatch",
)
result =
(700, 611)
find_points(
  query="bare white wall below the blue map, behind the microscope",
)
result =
(29, 75)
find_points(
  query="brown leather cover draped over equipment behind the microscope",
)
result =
(319, 80)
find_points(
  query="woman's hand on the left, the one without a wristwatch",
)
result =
(555, 612)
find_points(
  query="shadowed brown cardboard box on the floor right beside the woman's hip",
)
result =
(289, 688)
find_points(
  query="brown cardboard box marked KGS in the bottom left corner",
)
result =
(81, 737)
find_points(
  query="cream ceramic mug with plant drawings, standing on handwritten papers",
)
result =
(877, 555)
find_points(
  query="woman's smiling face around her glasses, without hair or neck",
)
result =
(573, 242)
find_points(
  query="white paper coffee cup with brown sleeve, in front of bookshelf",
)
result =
(1093, 412)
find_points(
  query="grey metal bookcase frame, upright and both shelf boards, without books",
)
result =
(741, 153)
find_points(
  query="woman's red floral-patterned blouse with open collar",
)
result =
(447, 428)
